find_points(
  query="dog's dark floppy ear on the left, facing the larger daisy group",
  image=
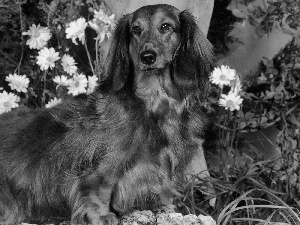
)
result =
(118, 60)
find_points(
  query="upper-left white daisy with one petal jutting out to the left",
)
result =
(39, 36)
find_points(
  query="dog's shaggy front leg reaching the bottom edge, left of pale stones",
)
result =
(93, 202)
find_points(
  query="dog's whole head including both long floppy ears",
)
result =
(159, 40)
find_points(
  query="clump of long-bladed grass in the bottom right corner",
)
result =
(247, 197)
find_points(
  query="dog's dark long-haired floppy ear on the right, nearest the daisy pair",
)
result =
(194, 58)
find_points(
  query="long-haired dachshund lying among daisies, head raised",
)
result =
(127, 145)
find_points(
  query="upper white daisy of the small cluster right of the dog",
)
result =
(222, 75)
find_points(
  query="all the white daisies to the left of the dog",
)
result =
(76, 83)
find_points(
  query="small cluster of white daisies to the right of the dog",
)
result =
(224, 75)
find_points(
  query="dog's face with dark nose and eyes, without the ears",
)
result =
(155, 35)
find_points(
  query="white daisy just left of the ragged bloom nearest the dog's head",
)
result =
(76, 29)
